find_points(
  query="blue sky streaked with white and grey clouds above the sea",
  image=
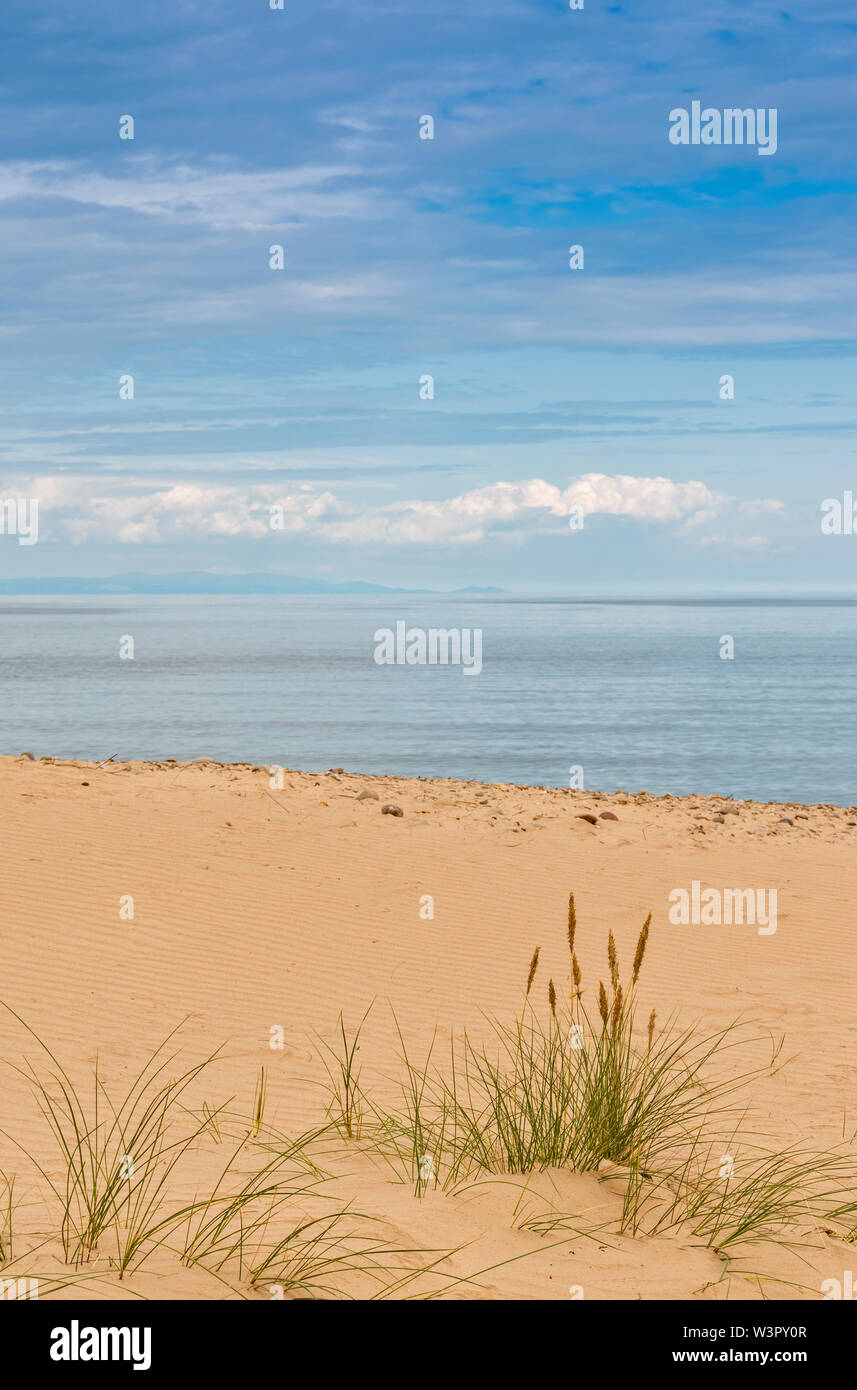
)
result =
(299, 389)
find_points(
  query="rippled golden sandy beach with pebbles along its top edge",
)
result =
(253, 911)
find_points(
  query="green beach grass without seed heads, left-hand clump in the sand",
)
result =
(265, 1220)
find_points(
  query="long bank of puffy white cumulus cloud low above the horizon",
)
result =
(134, 512)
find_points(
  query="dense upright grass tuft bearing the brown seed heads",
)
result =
(562, 1090)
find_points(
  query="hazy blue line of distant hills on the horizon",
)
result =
(201, 582)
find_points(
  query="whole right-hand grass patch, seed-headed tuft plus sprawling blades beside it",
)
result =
(647, 1103)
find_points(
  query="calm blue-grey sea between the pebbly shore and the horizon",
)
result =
(634, 694)
